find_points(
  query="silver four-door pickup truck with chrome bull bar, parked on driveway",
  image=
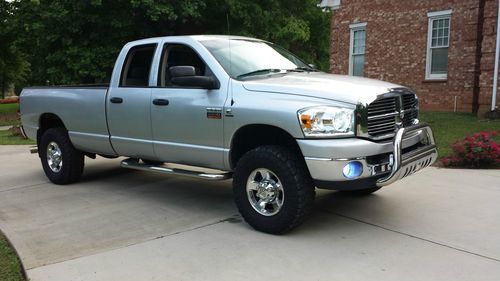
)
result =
(234, 107)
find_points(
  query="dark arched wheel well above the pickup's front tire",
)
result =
(253, 136)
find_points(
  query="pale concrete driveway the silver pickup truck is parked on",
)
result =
(119, 224)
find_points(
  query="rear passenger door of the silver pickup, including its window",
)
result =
(129, 106)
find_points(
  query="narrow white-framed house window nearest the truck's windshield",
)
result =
(357, 49)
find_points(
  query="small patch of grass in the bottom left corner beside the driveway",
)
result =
(10, 267)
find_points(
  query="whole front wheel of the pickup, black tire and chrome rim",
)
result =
(273, 189)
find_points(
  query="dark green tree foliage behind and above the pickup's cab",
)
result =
(73, 42)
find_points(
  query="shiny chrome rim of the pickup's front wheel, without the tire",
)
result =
(265, 192)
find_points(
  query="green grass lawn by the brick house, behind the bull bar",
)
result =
(449, 127)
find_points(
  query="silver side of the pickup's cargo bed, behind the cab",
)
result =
(82, 109)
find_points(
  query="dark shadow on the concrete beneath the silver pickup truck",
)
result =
(189, 196)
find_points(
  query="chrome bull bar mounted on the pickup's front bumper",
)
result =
(407, 164)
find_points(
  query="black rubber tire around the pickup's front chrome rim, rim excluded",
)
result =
(298, 188)
